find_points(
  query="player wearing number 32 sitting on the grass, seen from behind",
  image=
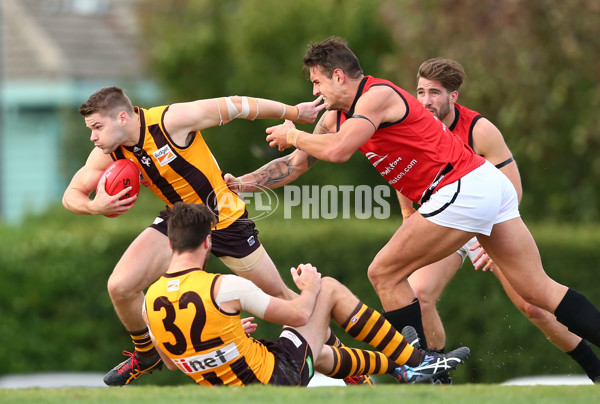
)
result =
(194, 320)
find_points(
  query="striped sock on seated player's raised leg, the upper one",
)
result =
(367, 325)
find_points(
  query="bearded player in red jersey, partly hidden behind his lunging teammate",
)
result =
(439, 81)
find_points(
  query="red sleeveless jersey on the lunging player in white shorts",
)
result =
(415, 154)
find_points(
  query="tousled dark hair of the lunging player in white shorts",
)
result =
(330, 54)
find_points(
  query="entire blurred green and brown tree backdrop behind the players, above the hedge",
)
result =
(532, 70)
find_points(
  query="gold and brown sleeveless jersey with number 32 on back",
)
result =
(205, 343)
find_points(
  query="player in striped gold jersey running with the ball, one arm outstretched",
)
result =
(166, 145)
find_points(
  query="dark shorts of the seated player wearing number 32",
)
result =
(293, 359)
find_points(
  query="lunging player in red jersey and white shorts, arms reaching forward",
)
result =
(461, 194)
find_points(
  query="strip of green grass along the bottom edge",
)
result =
(386, 394)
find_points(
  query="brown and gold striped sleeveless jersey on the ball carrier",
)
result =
(173, 173)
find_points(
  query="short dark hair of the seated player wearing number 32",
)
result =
(188, 225)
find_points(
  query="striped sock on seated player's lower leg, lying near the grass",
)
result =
(352, 361)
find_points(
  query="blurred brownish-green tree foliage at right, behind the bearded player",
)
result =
(532, 69)
